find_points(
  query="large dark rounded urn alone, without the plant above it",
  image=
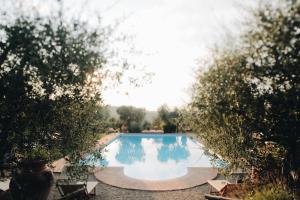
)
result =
(31, 180)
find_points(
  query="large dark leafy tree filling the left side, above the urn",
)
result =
(49, 88)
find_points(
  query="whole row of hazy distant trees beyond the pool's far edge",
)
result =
(134, 120)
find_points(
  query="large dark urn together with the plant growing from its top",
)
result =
(32, 178)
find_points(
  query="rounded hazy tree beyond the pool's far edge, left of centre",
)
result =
(131, 117)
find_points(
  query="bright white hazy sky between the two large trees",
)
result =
(171, 36)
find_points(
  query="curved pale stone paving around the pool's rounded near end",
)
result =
(196, 176)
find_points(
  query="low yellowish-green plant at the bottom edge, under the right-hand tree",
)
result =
(271, 192)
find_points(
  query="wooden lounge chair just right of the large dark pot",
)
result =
(76, 190)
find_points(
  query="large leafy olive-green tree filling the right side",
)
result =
(246, 106)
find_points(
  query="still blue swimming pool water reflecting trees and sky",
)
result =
(154, 156)
